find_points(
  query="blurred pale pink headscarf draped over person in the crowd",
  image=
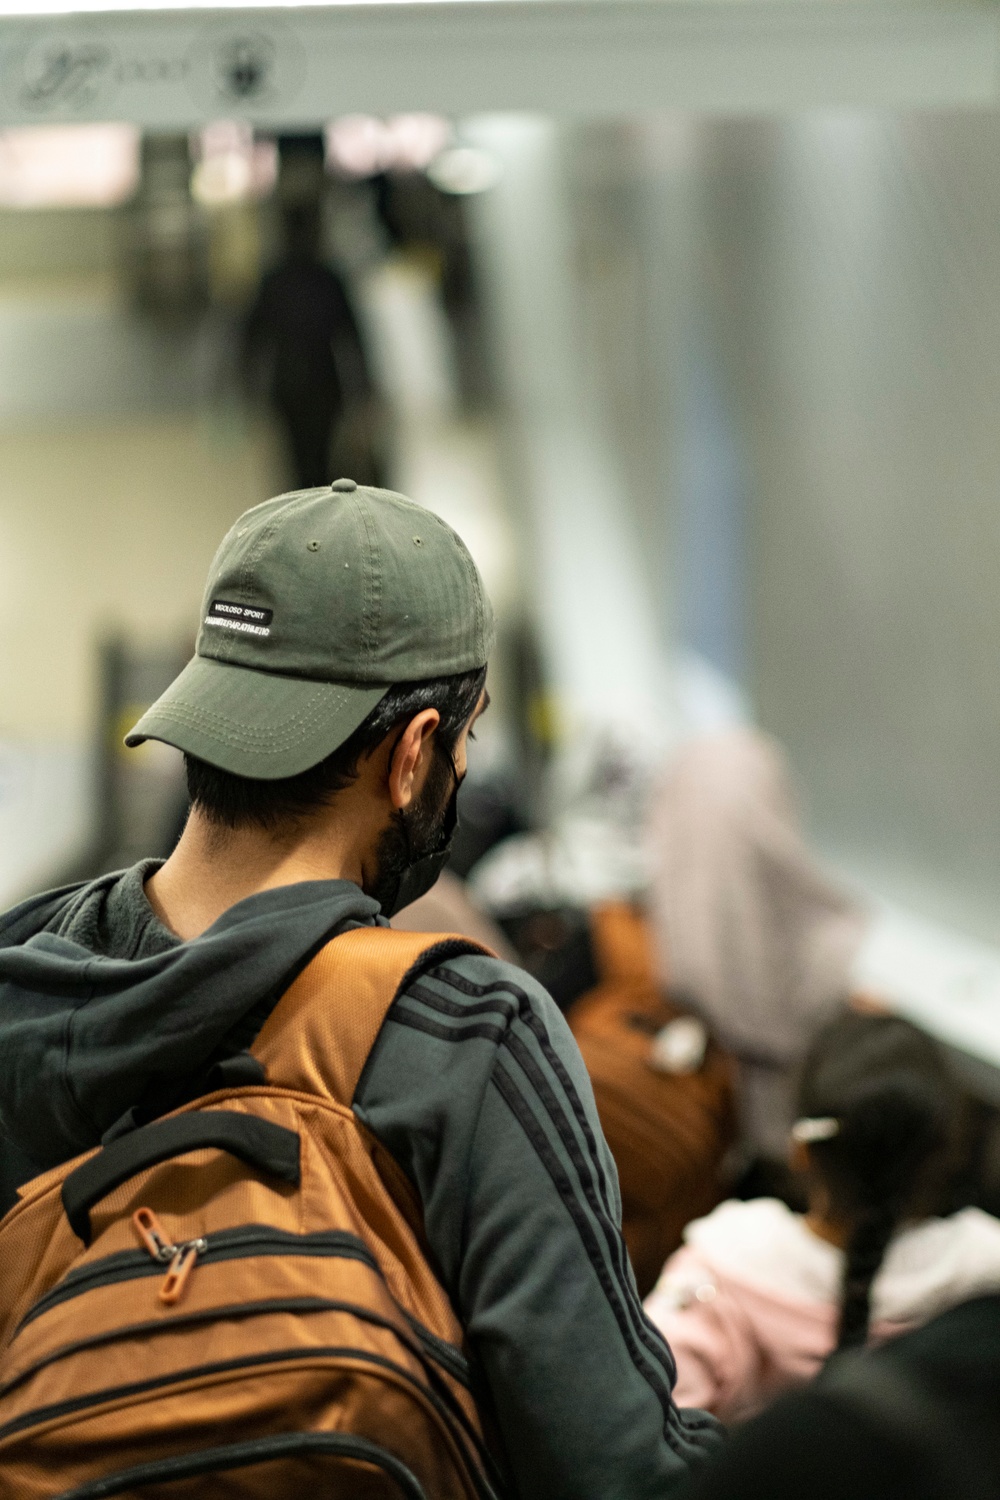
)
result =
(744, 919)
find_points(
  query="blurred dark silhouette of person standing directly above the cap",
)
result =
(302, 332)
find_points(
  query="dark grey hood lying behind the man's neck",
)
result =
(85, 1037)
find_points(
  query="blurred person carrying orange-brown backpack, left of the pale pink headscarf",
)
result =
(663, 1090)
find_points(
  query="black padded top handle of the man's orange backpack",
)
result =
(262, 1145)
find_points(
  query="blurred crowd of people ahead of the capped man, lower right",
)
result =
(801, 1172)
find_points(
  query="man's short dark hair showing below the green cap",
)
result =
(239, 802)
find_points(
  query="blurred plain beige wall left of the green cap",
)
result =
(107, 527)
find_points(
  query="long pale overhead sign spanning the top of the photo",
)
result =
(175, 68)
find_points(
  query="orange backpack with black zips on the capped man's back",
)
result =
(236, 1300)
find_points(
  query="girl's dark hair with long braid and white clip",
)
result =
(899, 1114)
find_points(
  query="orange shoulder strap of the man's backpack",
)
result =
(320, 1034)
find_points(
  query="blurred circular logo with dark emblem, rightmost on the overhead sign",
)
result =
(248, 68)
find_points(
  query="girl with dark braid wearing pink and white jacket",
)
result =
(758, 1297)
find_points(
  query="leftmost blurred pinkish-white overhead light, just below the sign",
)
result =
(68, 166)
